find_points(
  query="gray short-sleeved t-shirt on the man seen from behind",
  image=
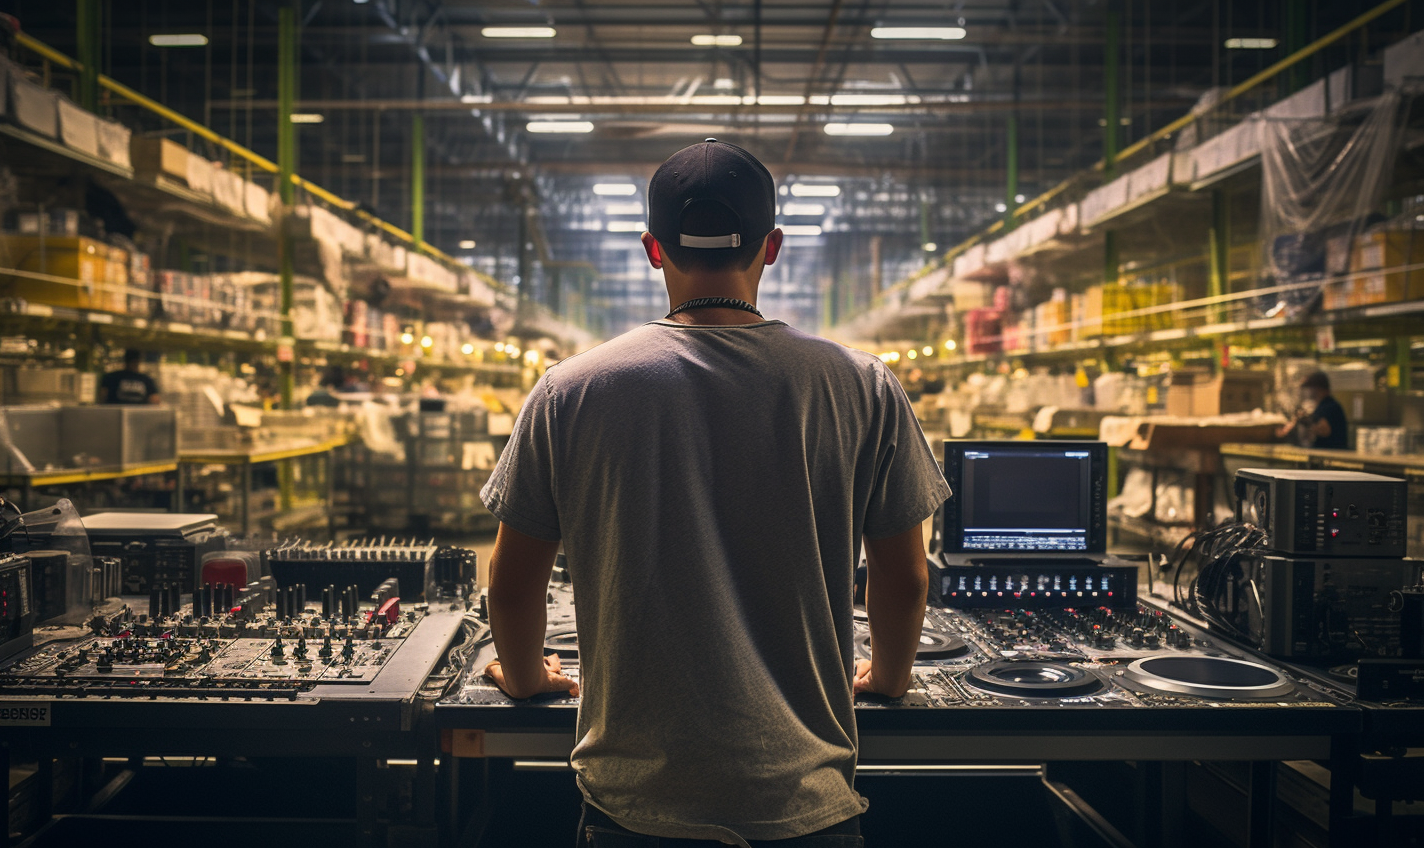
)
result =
(711, 486)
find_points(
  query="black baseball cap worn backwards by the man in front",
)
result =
(720, 173)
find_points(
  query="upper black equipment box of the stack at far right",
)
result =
(1324, 513)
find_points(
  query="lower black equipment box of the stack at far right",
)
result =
(1321, 607)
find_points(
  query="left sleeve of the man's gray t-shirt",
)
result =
(522, 489)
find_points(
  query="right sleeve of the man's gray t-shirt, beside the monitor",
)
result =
(909, 486)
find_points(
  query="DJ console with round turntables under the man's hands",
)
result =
(1134, 658)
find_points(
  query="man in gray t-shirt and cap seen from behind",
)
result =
(711, 477)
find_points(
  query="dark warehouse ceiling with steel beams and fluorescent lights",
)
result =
(646, 78)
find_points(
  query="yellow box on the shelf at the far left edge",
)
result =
(75, 258)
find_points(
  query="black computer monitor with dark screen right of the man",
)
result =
(1025, 497)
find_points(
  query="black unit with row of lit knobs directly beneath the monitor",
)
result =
(1027, 584)
